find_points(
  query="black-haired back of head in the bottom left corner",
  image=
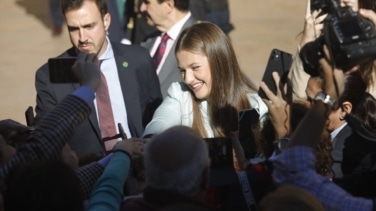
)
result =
(43, 186)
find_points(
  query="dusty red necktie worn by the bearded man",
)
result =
(105, 115)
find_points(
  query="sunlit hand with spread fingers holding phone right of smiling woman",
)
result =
(279, 109)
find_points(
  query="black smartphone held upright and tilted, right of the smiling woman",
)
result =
(279, 61)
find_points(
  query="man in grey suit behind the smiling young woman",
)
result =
(169, 17)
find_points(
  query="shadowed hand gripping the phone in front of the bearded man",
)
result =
(86, 70)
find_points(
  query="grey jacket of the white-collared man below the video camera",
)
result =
(337, 152)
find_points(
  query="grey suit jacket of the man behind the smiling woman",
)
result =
(169, 72)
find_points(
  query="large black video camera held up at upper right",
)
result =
(350, 38)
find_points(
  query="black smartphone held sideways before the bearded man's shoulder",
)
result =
(61, 70)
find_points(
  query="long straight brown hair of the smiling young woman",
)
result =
(229, 85)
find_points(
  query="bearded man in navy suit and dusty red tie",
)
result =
(133, 86)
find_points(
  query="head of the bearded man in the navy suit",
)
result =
(87, 29)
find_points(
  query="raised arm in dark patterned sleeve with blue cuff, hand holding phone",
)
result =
(49, 137)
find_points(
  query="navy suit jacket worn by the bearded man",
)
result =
(140, 87)
